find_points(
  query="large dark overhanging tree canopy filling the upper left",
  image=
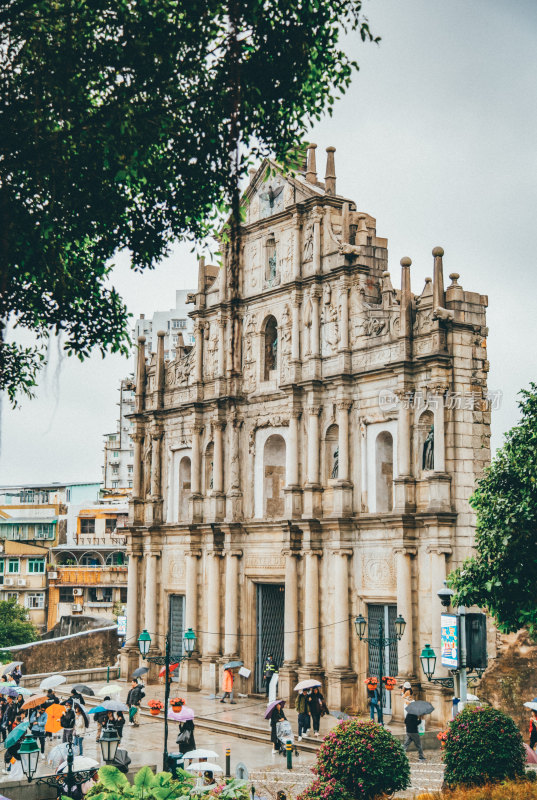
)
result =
(127, 124)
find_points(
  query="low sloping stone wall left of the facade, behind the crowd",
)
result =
(97, 648)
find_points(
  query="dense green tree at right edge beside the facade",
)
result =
(502, 576)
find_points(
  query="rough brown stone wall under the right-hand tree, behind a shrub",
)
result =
(511, 679)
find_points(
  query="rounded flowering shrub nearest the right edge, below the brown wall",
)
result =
(483, 745)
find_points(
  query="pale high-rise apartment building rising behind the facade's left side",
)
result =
(118, 445)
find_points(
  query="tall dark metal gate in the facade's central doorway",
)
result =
(270, 601)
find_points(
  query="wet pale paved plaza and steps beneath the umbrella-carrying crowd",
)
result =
(145, 743)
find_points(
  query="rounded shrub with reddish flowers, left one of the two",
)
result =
(363, 758)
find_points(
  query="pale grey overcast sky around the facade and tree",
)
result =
(436, 138)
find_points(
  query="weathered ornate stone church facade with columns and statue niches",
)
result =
(295, 454)
